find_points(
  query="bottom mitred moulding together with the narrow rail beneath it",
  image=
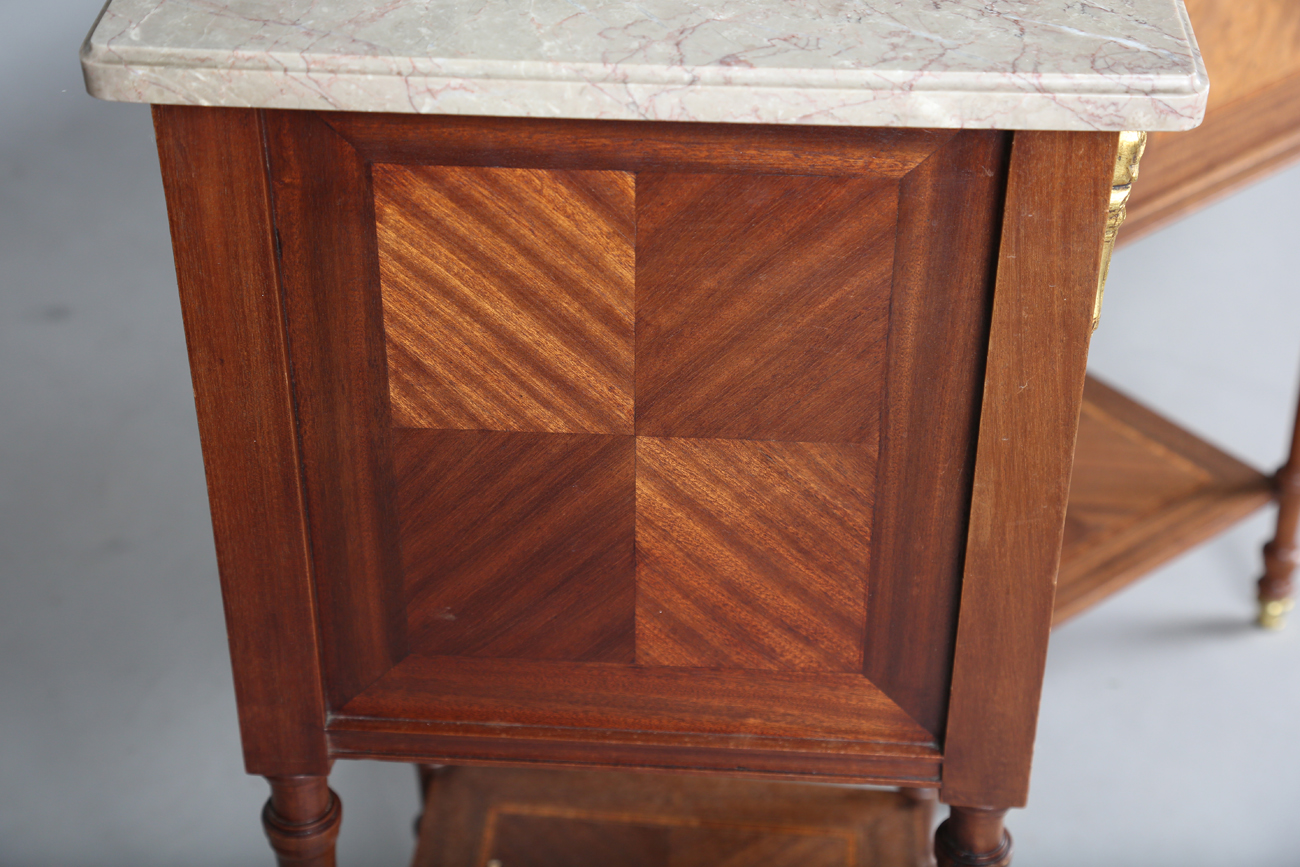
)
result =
(610, 716)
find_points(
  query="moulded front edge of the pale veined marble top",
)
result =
(116, 70)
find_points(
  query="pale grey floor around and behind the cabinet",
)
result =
(1168, 725)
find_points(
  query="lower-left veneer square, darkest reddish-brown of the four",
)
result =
(518, 545)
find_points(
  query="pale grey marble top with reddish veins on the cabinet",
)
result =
(1003, 64)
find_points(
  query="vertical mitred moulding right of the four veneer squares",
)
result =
(946, 254)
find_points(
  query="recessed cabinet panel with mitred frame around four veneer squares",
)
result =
(636, 444)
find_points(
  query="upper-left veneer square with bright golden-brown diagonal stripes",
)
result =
(508, 297)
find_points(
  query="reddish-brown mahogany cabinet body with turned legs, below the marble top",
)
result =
(677, 446)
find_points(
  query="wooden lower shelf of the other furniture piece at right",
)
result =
(1143, 492)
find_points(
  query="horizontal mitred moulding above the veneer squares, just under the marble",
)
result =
(634, 146)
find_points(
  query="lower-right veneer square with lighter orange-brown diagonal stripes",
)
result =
(753, 554)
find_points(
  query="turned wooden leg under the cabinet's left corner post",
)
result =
(302, 821)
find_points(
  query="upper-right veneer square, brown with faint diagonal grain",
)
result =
(762, 306)
